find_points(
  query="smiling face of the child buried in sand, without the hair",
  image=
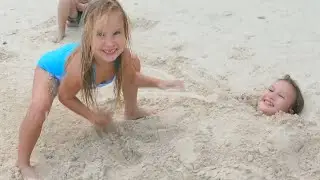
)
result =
(280, 96)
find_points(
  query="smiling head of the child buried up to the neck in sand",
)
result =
(283, 95)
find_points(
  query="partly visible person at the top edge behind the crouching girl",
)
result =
(70, 13)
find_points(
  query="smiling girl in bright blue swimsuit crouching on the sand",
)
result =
(101, 57)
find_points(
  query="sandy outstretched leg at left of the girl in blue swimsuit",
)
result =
(43, 93)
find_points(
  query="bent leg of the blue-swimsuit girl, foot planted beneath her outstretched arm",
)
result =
(130, 93)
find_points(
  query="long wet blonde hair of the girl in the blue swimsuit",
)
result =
(95, 10)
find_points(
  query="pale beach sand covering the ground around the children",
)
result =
(222, 49)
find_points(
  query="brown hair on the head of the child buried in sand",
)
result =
(298, 104)
